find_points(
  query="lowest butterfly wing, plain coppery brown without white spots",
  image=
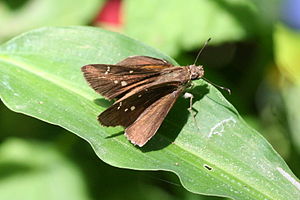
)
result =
(146, 125)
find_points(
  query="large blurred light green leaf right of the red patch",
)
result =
(180, 25)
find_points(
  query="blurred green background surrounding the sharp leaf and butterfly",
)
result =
(255, 51)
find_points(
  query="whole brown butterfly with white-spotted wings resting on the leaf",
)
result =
(145, 89)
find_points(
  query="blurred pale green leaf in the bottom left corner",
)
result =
(34, 171)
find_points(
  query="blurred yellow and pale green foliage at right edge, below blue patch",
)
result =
(287, 51)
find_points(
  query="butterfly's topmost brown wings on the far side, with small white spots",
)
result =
(113, 81)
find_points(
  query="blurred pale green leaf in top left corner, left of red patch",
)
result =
(21, 15)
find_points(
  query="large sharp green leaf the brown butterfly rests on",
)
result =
(217, 154)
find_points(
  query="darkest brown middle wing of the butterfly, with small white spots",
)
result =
(126, 111)
